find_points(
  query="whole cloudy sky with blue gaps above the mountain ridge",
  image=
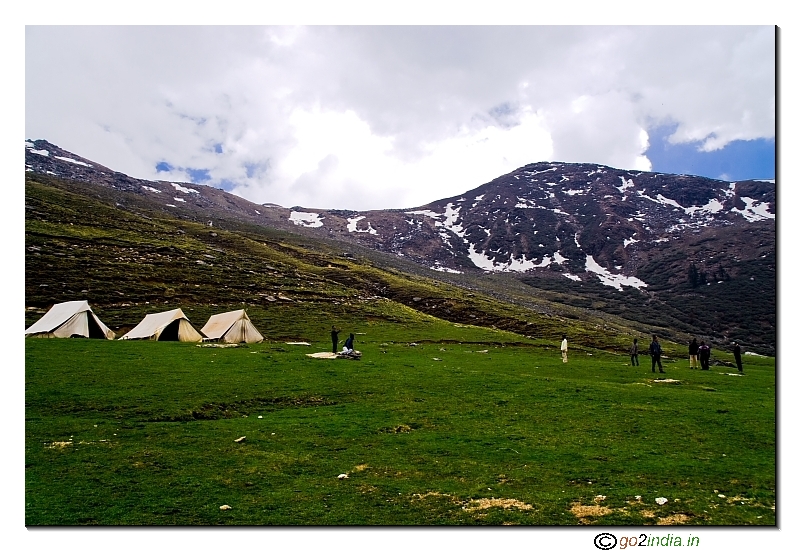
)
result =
(367, 117)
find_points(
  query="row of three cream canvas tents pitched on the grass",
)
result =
(77, 319)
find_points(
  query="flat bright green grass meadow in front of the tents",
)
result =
(470, 426)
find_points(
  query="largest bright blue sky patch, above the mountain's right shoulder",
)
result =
(739, 160)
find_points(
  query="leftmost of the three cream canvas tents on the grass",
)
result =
(69, 319)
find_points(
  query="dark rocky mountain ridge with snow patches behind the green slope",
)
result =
(685, 253)
